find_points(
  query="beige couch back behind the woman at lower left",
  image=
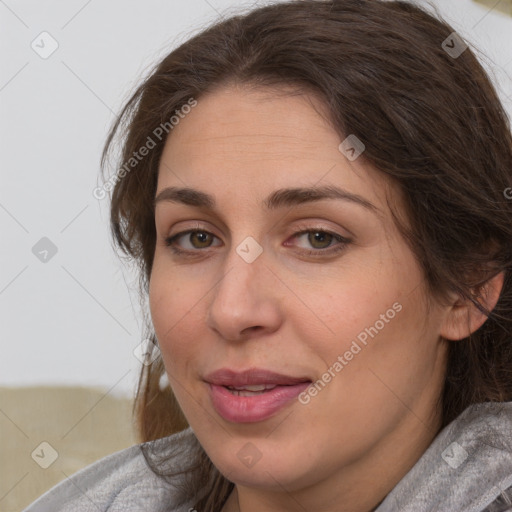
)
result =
(49, 433)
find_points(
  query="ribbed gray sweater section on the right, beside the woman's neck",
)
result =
(467, 467)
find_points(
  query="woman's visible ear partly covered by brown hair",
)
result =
(464, 318)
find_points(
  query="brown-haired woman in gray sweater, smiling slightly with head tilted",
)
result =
(316, 193)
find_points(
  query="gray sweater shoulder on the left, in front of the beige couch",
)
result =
(121, 481)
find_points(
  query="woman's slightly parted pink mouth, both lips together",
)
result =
(252, 395)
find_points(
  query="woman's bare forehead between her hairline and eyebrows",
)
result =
(246, 139)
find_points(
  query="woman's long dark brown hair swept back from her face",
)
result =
(431, 121)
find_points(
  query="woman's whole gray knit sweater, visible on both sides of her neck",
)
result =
(467, 468)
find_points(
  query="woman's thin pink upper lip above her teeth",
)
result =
(252, 376)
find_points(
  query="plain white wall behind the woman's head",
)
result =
(76, 318)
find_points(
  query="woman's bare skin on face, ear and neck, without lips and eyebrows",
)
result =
(294, 313)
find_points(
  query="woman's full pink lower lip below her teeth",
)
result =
(248, 409)
